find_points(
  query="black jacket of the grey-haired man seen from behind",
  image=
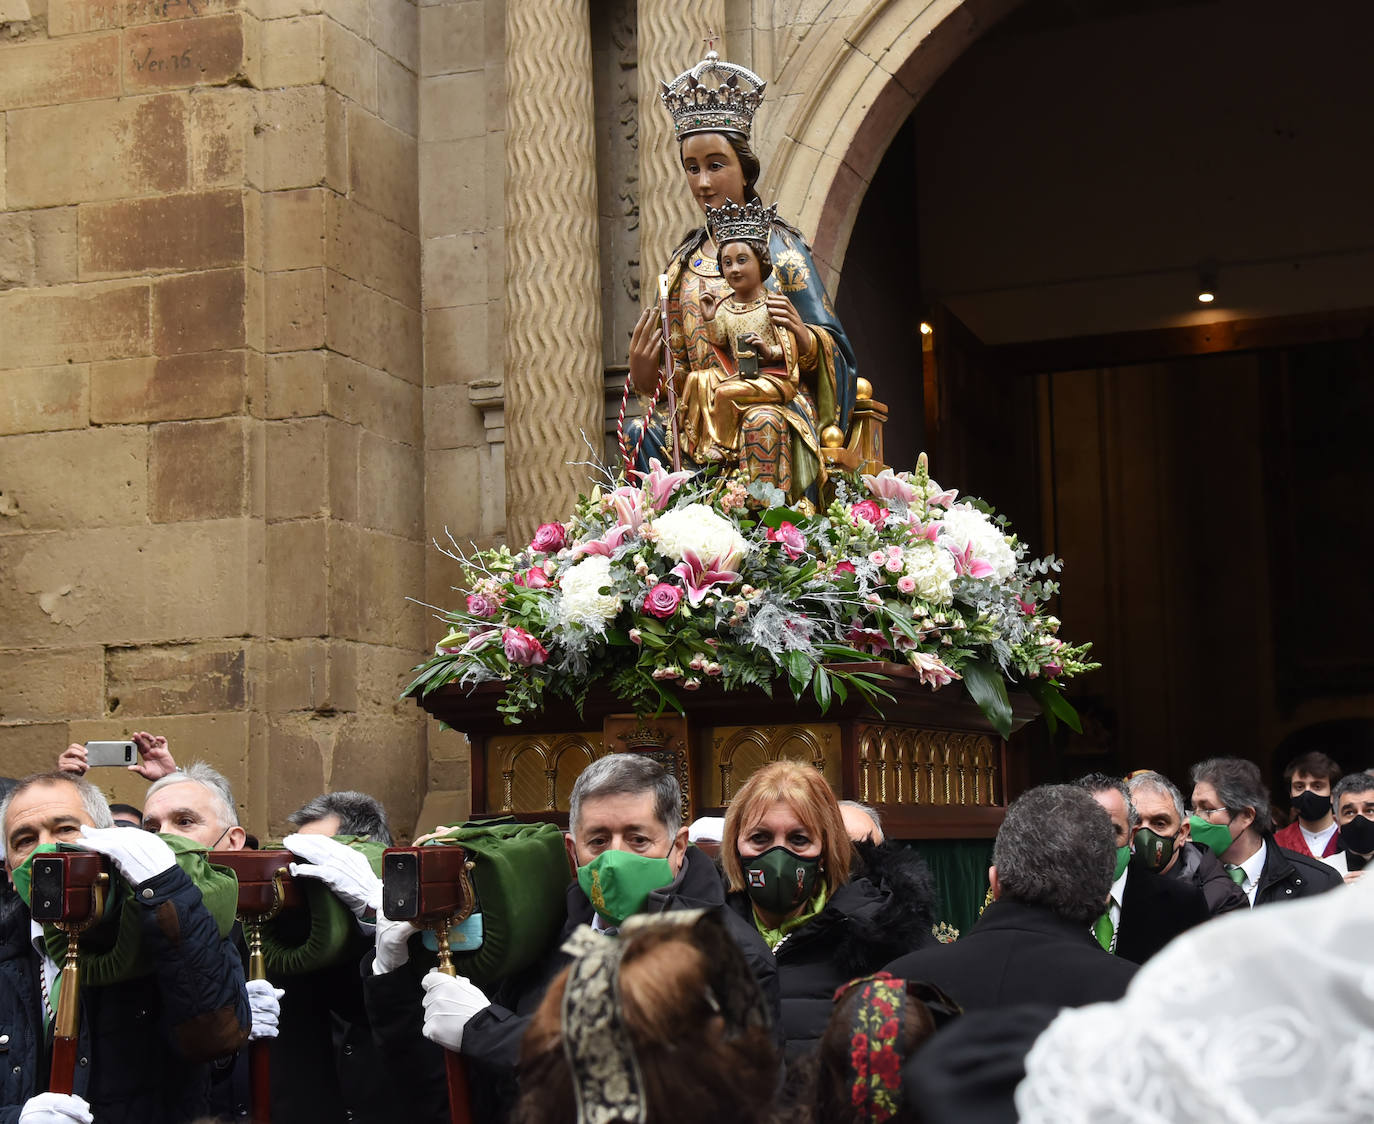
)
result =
(1020, 954)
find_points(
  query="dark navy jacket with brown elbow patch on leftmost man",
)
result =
(145, 1045)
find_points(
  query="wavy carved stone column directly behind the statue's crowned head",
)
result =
(671, 36)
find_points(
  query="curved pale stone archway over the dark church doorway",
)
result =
(843, 91)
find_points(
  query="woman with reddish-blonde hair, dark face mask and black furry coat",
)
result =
(795, 875)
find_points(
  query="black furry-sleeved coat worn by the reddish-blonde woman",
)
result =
(883, 912)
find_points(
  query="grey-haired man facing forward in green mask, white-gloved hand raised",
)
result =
(630, 847)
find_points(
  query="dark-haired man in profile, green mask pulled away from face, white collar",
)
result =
(1232, 817)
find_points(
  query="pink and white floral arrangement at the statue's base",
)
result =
(666, 582)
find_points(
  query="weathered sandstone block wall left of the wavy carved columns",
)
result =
(212, 388)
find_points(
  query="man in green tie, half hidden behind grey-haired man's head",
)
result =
(1145, 912)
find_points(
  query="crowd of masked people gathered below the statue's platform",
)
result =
(778, 965)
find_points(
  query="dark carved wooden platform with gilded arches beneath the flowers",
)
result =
(930, 762)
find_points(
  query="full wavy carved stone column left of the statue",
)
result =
(553, 278)
